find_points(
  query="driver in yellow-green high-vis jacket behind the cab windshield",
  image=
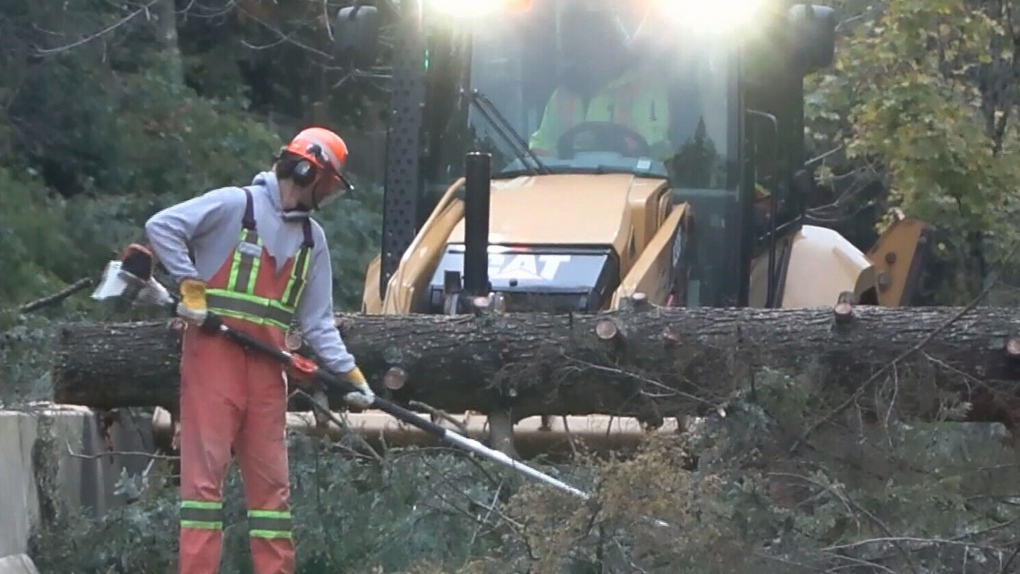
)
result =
(604, 80)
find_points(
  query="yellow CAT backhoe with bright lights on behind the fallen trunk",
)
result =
(568, 154)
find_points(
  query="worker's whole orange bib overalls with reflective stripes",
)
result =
(234, 398)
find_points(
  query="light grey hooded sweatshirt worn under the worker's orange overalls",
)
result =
(211, 225)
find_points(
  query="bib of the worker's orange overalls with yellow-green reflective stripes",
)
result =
(242, 293)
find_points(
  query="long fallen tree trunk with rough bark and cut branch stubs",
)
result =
(647, 364)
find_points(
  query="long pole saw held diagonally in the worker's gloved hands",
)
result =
(131, 279)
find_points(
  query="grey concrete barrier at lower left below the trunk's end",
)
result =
(79, 475)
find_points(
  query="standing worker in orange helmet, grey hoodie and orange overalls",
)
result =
(253, 256)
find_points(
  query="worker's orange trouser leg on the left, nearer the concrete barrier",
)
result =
(213, 402)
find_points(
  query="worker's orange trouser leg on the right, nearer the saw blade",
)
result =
(262, 452)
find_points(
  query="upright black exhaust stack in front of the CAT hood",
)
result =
(477, 188)
